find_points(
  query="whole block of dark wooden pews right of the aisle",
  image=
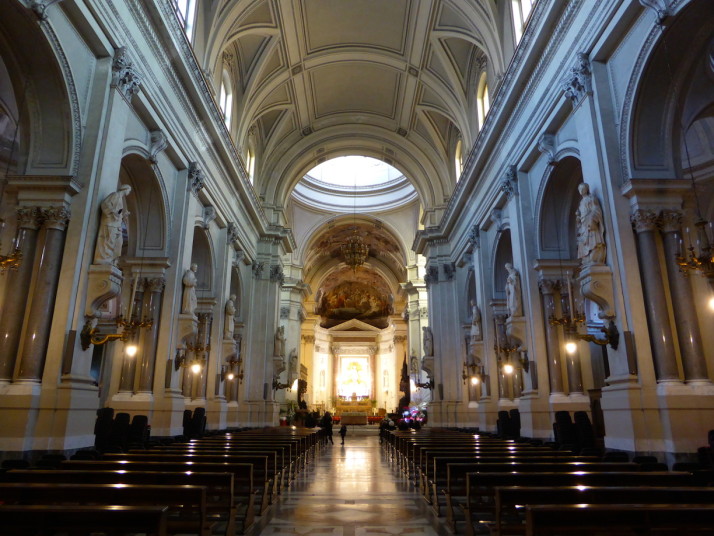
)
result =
(488, 484)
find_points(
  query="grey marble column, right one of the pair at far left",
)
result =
(39, 321)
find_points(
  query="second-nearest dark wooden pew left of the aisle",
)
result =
(187, 504)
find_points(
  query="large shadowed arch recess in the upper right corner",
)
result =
(674, 88)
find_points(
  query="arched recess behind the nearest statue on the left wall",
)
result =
(146, 226)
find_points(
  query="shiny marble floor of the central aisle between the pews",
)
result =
(350, 491)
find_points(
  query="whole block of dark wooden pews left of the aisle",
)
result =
(214, 485)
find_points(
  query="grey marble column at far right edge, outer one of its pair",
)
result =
(688, 334)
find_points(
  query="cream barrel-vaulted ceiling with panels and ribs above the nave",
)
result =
(400, 72)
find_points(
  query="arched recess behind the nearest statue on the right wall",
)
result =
(556, 222)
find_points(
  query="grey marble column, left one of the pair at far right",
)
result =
(645, 223)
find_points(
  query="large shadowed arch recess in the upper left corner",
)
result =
(46, 140)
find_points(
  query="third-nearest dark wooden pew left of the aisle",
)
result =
(220, 504)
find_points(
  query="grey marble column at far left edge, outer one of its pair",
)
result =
(16, 292)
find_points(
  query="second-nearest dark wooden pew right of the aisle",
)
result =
(510, 501)
